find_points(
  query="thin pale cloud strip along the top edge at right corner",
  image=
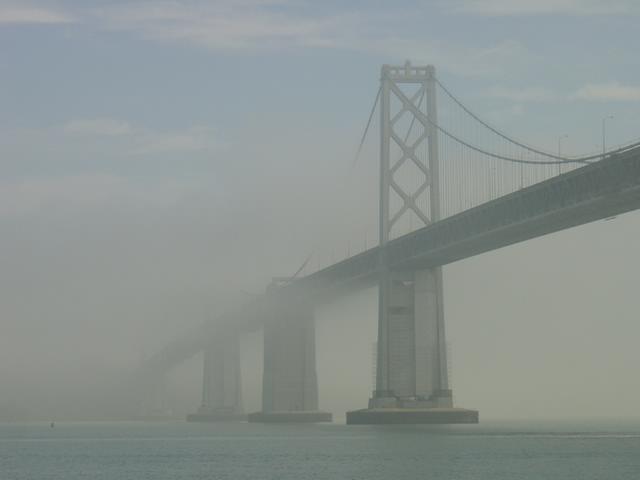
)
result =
(542, 7)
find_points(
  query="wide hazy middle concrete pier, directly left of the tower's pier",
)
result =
(290, 383)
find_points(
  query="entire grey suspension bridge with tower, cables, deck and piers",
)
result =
(451, 186)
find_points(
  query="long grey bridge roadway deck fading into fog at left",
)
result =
(596, 191)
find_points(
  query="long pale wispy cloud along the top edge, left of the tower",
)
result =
(227, 25)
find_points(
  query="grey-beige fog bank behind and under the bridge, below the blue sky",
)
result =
(546, 328)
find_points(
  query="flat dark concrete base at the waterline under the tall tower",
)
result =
(381, 416)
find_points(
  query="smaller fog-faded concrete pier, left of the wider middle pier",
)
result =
(221, 387)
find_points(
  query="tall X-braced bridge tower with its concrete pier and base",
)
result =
(411, 374)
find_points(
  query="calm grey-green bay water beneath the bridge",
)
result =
(492, 450)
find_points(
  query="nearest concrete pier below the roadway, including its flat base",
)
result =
(411, 382)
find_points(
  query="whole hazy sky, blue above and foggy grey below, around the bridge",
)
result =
(157, 158)
